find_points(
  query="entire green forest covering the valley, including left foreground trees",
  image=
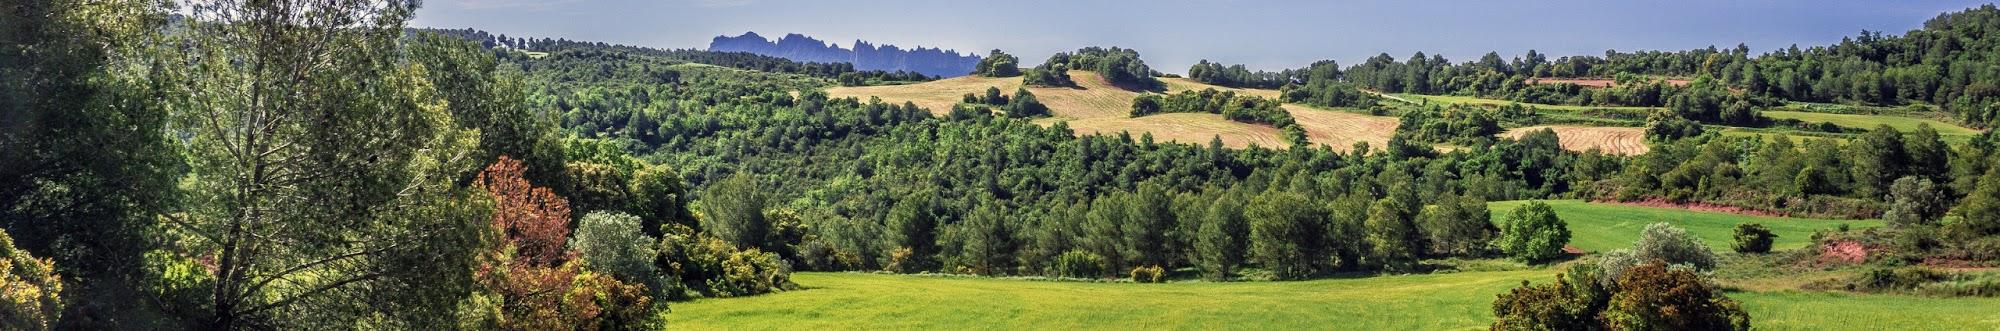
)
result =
(261, 166)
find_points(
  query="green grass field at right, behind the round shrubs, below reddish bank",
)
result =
(1609, 226)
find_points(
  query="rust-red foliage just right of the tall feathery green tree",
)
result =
(535, 220)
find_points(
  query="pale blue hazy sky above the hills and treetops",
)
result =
(1173, 35)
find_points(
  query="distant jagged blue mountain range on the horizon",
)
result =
(865, 57)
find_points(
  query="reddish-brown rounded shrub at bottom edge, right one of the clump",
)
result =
(1663, 298)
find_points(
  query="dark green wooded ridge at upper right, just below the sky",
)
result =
(1939, 65)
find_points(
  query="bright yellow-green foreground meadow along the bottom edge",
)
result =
(1389, 302)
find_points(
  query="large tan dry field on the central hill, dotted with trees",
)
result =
(1097, 107)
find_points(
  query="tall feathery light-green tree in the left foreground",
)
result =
(323, 168)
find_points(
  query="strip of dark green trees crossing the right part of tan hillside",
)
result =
(1233, 107)
